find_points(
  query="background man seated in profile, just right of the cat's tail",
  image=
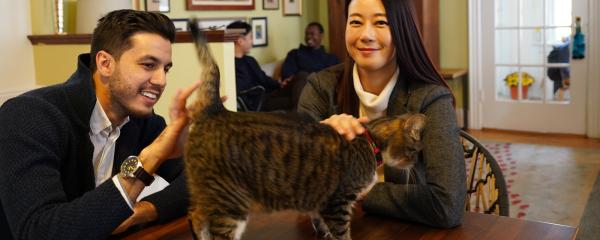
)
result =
(248, 74)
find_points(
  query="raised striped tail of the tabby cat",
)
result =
(208, 99)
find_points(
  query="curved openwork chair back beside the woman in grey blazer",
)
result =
(486, 188)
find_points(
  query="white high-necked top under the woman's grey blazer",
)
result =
(373, 106)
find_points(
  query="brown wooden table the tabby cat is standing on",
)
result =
(290, 225)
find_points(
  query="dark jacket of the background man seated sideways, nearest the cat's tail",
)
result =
(249, 74)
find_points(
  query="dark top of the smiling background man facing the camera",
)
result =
(307, 59)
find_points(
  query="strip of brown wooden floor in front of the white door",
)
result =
(536, 138)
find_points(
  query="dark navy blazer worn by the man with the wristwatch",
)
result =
(48, 189)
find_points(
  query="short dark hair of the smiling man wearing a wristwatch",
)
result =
(113, 32)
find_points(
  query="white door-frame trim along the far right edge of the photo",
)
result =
(593, 54)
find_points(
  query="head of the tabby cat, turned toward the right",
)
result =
(401, 139)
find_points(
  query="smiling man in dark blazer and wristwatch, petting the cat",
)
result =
(75, 156)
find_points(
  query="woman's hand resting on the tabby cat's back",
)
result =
(346, 125)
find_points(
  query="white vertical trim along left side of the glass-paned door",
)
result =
(475, 66)
